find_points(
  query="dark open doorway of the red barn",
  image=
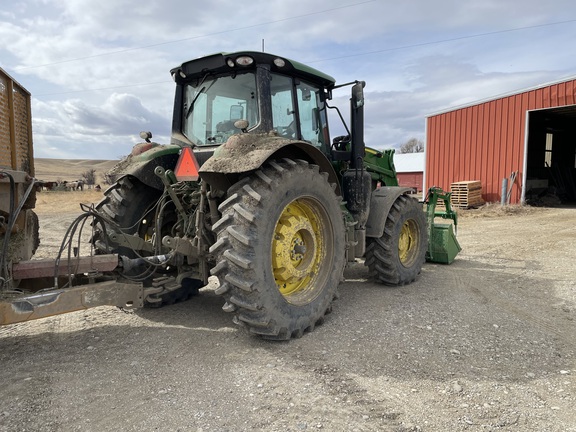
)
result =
(551, 157)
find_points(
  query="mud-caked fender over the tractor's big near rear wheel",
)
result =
(244, 153)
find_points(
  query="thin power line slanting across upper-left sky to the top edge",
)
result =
(194, 37)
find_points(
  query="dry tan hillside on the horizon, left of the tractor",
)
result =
(70, 169)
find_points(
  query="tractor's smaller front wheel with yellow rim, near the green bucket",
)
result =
(397, 257)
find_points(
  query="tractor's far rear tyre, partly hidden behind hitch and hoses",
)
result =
(131, 205)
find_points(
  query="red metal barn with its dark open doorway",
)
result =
(532, 132)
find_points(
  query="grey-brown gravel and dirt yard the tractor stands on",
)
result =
(487, 343)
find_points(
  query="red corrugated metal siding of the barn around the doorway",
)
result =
(486, 141)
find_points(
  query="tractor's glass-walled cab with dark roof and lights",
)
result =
(226, 94)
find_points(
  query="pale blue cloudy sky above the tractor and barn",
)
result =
(98, 70)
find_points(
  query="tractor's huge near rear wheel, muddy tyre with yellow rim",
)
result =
(280, 249)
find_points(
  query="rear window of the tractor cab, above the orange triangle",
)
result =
(213, 104)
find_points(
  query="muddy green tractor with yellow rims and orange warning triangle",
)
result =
(253, 190)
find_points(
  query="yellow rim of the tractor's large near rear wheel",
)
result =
(298, 250)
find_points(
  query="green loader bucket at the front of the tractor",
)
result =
(442, 244)
